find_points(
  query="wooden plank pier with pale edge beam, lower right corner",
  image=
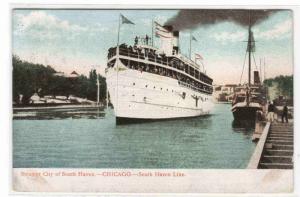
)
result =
(275, 147)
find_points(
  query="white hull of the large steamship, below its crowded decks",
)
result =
(141, 96)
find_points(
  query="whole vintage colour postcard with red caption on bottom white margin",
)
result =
(152, 100)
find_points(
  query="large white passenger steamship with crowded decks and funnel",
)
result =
(146, 83)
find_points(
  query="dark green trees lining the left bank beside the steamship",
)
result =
(29, 78)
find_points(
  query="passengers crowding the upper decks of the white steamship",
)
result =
(172, 61)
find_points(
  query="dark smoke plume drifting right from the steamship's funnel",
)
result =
(190, 19)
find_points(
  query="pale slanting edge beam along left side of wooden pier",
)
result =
(254, 161)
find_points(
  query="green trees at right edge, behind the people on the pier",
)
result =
(284, 84)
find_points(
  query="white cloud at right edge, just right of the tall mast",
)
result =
(279, 31)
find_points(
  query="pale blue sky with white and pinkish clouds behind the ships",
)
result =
(78, 40)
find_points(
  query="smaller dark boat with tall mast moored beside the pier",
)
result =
(249, 98)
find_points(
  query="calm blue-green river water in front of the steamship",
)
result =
(90, 139)
